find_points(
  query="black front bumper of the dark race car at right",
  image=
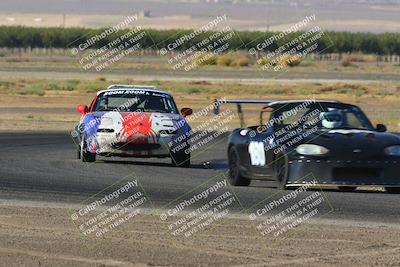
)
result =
(384, 172)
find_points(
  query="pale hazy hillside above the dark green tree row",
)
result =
(339, 15)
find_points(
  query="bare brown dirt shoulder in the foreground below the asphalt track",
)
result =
(42, 236)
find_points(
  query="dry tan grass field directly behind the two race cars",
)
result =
(50, 105)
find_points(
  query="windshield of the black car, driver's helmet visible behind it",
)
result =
(322, 115)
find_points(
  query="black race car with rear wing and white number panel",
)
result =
(304, 141)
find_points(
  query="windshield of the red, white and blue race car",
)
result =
(135, 101)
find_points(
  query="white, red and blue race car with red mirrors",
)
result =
(133, 121)
